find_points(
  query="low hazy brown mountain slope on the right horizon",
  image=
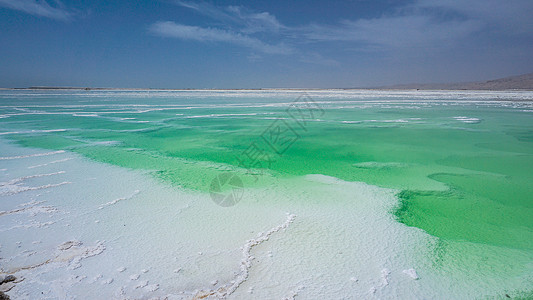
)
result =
(520, 82)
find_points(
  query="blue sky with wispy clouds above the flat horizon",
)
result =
(262, 44)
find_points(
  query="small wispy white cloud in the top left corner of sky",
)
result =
(39, 8)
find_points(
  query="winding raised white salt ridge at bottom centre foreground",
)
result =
(246, 263)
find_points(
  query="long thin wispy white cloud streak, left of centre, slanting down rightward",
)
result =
(185, 32)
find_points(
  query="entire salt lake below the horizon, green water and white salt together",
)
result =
(436, 181)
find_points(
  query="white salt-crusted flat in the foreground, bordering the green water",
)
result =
(343, 238)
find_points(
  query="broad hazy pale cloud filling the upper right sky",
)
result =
(429, 24)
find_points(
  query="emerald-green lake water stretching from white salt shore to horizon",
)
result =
(462, 162)
